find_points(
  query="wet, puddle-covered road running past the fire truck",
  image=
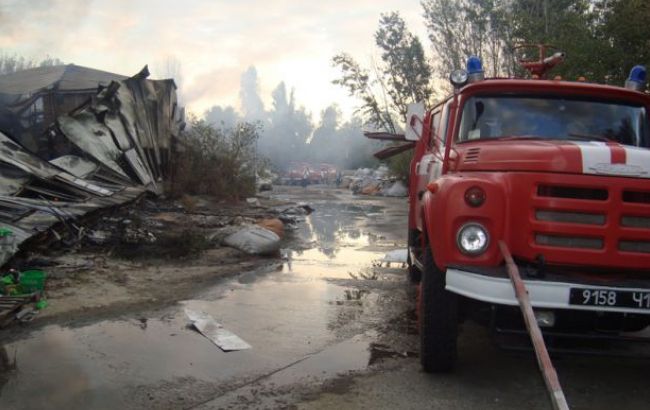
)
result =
(331, 327)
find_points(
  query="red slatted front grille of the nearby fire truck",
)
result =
(579, 220)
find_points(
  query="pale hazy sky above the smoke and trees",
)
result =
(215, 41)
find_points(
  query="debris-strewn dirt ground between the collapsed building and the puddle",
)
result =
(117, 265)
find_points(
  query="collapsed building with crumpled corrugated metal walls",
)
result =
(74, 140)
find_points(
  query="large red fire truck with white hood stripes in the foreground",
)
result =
(557, 172)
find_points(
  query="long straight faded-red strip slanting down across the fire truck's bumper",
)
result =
(553, 387)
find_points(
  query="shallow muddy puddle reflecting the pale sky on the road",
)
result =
(310, 317)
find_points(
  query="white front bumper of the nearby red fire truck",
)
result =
(544, 294)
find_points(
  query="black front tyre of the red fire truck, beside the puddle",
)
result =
(438, 320)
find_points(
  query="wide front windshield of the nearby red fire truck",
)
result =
(553, 118)
